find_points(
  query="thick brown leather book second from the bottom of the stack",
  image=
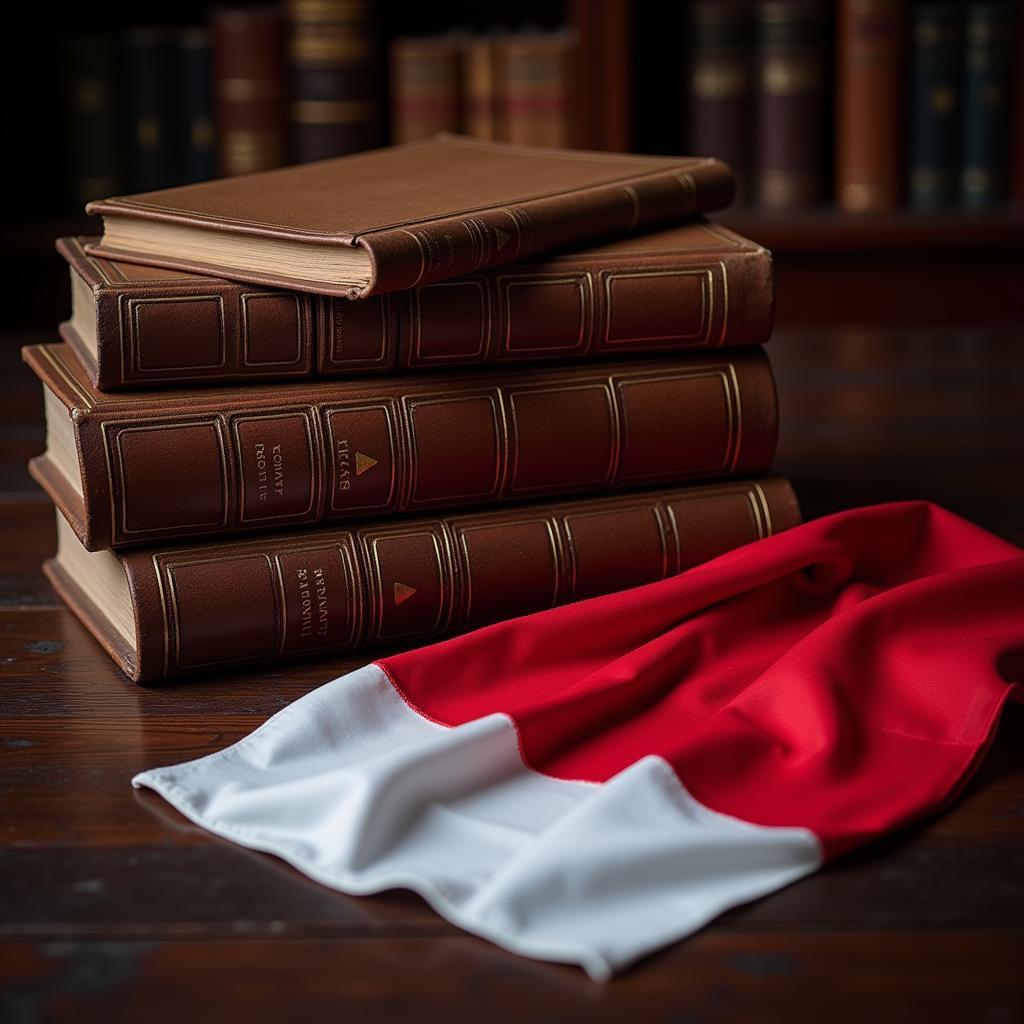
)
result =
(164, 465)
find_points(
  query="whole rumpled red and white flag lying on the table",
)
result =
(589, 784)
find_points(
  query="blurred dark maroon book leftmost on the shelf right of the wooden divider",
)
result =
(719, 84)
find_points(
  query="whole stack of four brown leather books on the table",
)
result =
(378, 399)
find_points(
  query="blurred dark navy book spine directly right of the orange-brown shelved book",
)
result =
(936, 50)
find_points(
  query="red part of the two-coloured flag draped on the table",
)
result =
(843, 676)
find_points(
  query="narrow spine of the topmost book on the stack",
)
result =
(438, 250)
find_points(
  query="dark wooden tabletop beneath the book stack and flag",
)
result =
(113, 908)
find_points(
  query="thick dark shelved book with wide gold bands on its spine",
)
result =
(332, 53)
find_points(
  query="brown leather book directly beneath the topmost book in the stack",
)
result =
(694, 286)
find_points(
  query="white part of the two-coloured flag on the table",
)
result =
(363, 794)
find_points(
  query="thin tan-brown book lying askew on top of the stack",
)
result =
(409, 216)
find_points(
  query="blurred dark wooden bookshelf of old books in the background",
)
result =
(789, 92)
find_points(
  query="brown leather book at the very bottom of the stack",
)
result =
(170, 611)
